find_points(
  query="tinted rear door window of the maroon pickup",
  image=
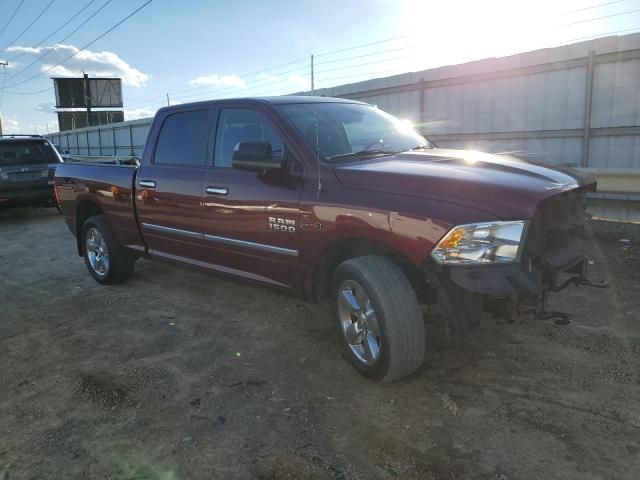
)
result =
(183, 139)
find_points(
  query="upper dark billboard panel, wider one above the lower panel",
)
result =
(101, 92)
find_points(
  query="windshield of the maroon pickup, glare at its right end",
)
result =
(339, 131)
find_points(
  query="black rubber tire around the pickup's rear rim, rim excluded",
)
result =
(120, 261)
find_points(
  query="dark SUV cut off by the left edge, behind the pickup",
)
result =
(27, 166)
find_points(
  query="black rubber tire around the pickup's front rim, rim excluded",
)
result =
(398, 313)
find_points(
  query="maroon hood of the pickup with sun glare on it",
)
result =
(501, 185)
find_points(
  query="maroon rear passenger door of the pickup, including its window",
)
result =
(168, 186)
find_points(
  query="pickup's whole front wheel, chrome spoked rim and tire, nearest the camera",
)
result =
(378, 317)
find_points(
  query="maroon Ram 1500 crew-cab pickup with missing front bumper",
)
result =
(335, 200)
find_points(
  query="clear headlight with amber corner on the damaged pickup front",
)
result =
(480, 243)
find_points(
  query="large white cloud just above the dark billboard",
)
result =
(94, 63)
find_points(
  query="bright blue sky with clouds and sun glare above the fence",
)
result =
(195, 50)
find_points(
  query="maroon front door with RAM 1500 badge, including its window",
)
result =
(251, 219)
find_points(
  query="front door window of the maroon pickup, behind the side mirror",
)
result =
(238, 125)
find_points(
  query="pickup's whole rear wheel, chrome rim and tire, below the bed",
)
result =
(107, 261)
